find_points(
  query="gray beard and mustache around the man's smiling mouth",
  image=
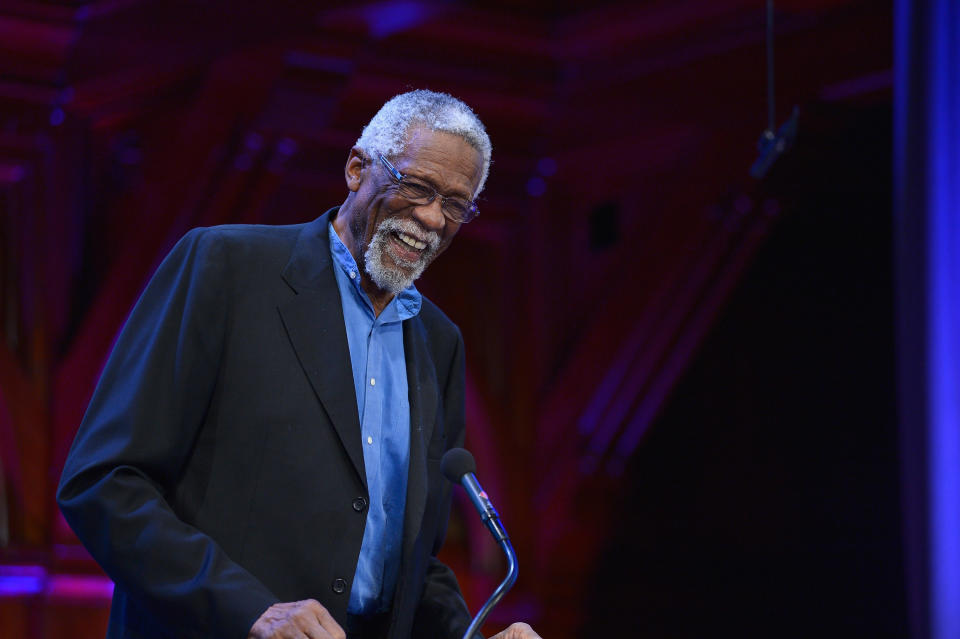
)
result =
(390, 278)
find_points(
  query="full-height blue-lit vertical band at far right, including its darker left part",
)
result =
(927, 138)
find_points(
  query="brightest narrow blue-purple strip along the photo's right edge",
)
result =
(943, 345)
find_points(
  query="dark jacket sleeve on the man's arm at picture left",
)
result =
(136, 436)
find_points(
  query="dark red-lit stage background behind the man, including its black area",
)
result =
(681, 379)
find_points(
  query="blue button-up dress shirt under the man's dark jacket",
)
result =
(380, 379)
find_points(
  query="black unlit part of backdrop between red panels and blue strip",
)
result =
(766, 500)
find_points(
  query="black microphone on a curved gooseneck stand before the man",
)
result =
(458, 466)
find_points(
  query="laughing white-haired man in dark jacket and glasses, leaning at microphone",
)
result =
(261, 455)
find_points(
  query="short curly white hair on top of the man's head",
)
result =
(387, 131)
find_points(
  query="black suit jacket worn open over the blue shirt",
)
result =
(219, 467)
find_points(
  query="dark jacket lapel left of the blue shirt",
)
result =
(314, 323)
